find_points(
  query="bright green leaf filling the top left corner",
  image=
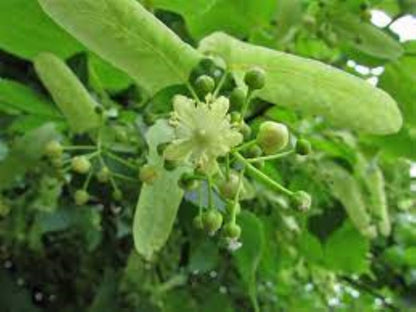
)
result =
(25, 30)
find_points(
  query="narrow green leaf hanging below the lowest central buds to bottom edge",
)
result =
(247, 258)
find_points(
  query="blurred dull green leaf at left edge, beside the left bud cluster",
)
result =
(25, 152)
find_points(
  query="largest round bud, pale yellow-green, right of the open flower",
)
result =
(272, 137)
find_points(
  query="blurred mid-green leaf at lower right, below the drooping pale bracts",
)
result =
(346, 251)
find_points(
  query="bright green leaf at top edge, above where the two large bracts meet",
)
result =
(238, 18)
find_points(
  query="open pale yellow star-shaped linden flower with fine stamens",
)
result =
(203, 132)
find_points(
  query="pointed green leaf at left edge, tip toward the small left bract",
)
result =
(24, 100)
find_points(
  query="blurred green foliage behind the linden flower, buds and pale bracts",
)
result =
(57, 256)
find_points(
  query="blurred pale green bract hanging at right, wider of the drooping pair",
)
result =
(345, 188)
